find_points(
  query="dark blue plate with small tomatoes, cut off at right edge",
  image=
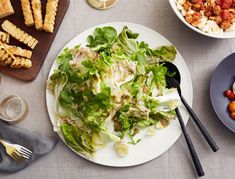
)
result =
(222, 79)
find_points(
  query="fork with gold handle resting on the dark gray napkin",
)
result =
(17, 152)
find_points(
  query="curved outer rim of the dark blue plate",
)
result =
(211, 98)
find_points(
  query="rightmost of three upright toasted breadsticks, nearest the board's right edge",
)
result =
(49, 21)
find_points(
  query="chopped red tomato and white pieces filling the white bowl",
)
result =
(206, 14)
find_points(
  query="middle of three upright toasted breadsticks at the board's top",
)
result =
(37, 14)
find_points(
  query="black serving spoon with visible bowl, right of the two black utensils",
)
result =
(175, 80)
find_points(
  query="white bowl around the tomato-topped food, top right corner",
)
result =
(223, 35)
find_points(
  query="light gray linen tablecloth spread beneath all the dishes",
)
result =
(201, 54)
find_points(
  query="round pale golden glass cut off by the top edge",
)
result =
(102, 4)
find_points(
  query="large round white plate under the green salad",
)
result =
(150, 147)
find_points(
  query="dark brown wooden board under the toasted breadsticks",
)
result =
(45, 39)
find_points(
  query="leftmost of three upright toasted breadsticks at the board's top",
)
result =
(28, 16)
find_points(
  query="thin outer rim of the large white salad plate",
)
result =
(123, 23)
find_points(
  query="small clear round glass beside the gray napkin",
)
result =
(13, 108)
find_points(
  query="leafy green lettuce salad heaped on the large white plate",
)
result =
(111, 89)
